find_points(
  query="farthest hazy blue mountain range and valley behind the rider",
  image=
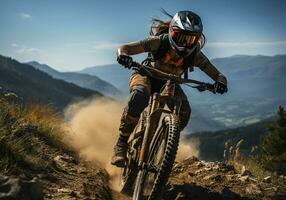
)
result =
(256, 88)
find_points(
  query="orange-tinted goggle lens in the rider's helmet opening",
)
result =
(183, 39)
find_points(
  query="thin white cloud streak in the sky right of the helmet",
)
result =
(245, 44)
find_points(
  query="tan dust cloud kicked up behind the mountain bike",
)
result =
(93, 131)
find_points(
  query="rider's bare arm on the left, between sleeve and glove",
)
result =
(150, 44)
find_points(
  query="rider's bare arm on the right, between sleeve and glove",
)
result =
(206, 66)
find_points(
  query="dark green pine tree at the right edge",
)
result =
(274, 144)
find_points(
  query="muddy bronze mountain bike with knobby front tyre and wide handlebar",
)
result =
(154, 142)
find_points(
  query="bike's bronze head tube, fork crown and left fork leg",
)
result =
(156, 109)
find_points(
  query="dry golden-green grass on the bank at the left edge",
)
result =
(26, 134)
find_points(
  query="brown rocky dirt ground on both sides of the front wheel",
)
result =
(191, 179)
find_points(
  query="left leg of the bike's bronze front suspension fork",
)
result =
(154, 104)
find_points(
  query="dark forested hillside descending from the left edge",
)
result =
(36, 86)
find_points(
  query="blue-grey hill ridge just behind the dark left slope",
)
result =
(83, 80)
